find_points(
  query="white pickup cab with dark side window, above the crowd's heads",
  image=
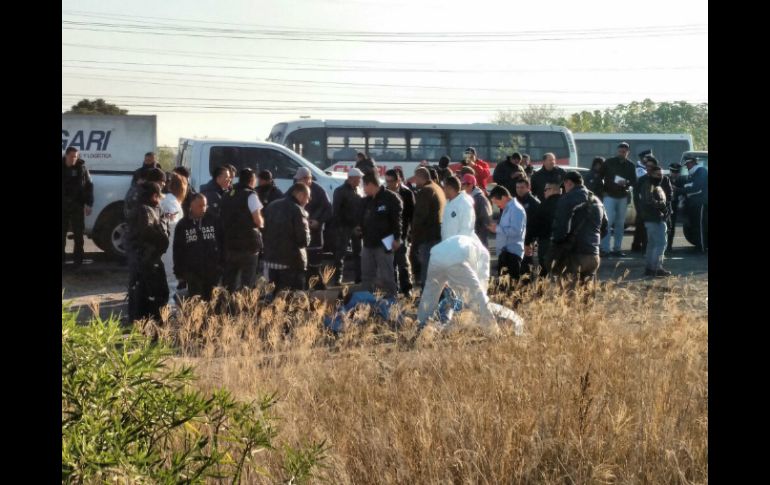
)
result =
(201, 157)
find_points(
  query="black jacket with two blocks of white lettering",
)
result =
(198, 248)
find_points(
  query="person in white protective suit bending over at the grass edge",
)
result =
(462, 262)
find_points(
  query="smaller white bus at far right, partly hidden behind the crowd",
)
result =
(666, 147)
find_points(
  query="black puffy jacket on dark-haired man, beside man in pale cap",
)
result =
(286, 233)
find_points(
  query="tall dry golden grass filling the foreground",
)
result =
(609, 388)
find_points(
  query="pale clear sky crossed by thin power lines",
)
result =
(234, 68)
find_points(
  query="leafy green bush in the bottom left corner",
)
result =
(129, 417)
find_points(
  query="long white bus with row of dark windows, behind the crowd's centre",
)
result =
(332, 145)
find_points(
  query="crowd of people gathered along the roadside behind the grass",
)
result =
(398, 234)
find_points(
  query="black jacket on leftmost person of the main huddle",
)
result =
(149, 237)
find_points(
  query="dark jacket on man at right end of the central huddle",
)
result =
(587, 222)
